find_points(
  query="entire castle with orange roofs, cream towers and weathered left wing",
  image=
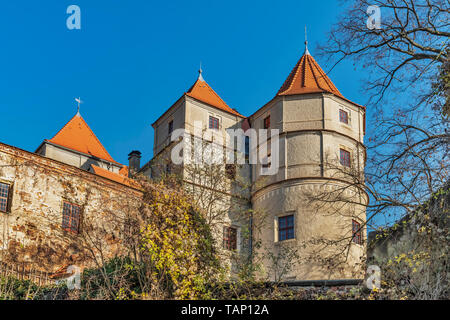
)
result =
(304, 221)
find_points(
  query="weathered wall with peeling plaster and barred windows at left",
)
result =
(31, 231)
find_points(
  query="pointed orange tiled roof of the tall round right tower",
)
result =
(307, 77)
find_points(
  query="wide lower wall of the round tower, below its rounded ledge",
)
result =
(321, 234)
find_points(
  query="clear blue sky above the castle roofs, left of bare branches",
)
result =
(132, 60)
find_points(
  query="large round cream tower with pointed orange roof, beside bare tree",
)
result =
(309, 217)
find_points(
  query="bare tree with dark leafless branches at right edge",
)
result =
(402, 58)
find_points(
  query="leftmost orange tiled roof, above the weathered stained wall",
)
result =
(76, 135)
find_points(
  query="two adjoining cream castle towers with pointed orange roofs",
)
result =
(295, 233)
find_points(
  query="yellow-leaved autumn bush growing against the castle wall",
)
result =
(177, 242)
